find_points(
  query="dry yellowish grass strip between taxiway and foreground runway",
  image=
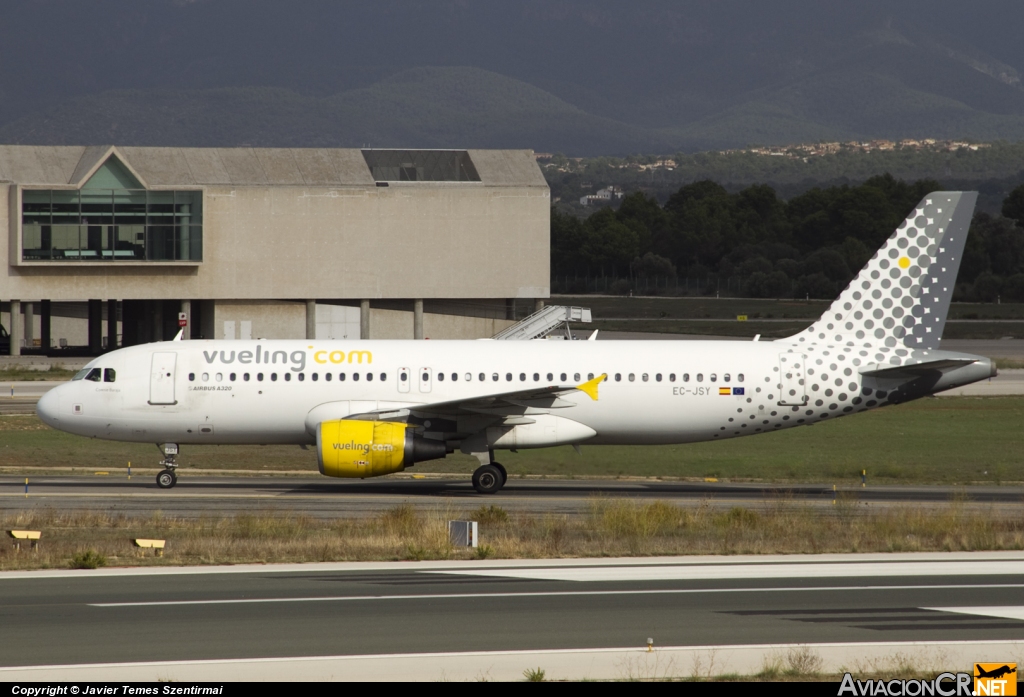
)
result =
(610, 529)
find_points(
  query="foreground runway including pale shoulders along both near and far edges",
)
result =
(310, 622)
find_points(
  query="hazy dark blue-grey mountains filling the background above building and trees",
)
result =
(579, 77)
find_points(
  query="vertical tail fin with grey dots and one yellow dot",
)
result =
(901, 299)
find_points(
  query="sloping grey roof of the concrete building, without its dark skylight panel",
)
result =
(61, 166)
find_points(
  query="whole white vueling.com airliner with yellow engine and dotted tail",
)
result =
(375, 408)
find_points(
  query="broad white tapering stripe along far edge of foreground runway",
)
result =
(709, 573)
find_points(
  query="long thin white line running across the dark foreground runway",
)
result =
(551, 594)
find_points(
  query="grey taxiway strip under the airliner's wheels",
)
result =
(319, 497)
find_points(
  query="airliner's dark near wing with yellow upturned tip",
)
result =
(498, 405)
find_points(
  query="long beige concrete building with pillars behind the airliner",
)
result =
(267, 243)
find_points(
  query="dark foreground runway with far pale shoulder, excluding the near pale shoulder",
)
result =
(88, 619)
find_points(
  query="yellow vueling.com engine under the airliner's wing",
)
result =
(371, 449)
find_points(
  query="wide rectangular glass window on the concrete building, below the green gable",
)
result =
(105, 225)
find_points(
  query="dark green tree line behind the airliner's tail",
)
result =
(809, 246)
